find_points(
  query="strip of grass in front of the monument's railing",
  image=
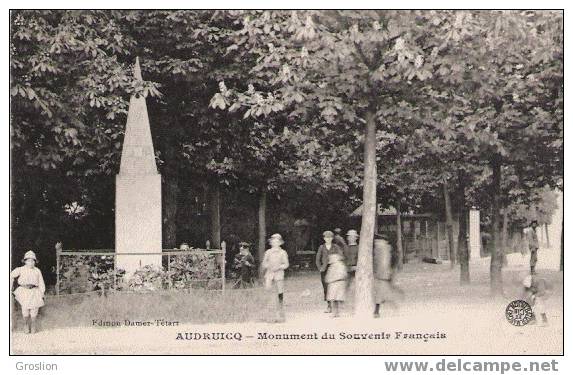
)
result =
(198, 306)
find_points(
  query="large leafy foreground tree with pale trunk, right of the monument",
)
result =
(341, 71)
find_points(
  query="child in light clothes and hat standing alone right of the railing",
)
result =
(274, 264)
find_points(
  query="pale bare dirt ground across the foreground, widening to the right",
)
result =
(472, 323)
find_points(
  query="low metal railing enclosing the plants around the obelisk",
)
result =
(169, 253)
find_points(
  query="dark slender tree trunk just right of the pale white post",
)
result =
(496, 278)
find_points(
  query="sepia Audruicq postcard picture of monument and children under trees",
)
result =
(340, 182)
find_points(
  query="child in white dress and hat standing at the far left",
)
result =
(30, 290)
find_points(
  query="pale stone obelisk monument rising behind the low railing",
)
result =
(137, 191)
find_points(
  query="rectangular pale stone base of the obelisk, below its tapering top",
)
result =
(137, 221)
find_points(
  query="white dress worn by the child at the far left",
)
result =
(31, 289)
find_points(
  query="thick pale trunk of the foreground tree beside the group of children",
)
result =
(364, 297)
